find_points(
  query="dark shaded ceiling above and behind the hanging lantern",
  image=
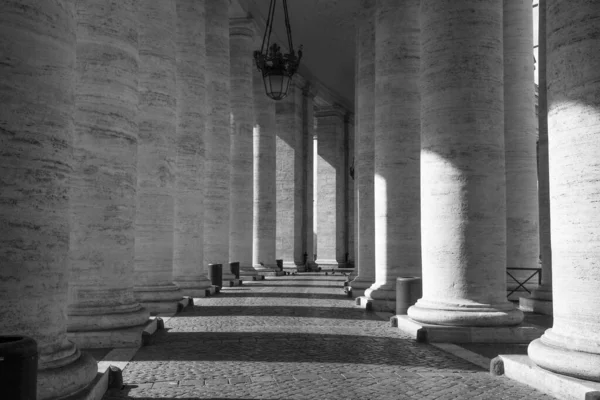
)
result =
(326, 29)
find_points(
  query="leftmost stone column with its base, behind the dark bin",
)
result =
(37, 87)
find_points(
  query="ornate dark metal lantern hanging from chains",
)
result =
(277, 68)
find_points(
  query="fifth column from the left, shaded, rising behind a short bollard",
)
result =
(218, 137)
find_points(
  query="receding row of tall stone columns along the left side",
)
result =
(127, 133)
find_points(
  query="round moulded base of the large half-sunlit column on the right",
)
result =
(467, 314)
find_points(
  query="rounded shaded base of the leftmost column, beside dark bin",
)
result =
(70, 380)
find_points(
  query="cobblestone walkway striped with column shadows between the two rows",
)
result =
(298, 337)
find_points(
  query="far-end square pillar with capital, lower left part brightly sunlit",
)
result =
(329, 187)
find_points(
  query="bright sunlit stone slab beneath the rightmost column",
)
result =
(522, 369)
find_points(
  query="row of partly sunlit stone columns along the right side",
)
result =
(478, 178)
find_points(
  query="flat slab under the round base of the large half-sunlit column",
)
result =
(523, 333)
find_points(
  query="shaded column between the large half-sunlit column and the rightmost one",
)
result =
(520, 130)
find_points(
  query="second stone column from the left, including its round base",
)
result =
(102, 310)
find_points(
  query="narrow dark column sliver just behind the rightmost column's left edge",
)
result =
(544, 292)
